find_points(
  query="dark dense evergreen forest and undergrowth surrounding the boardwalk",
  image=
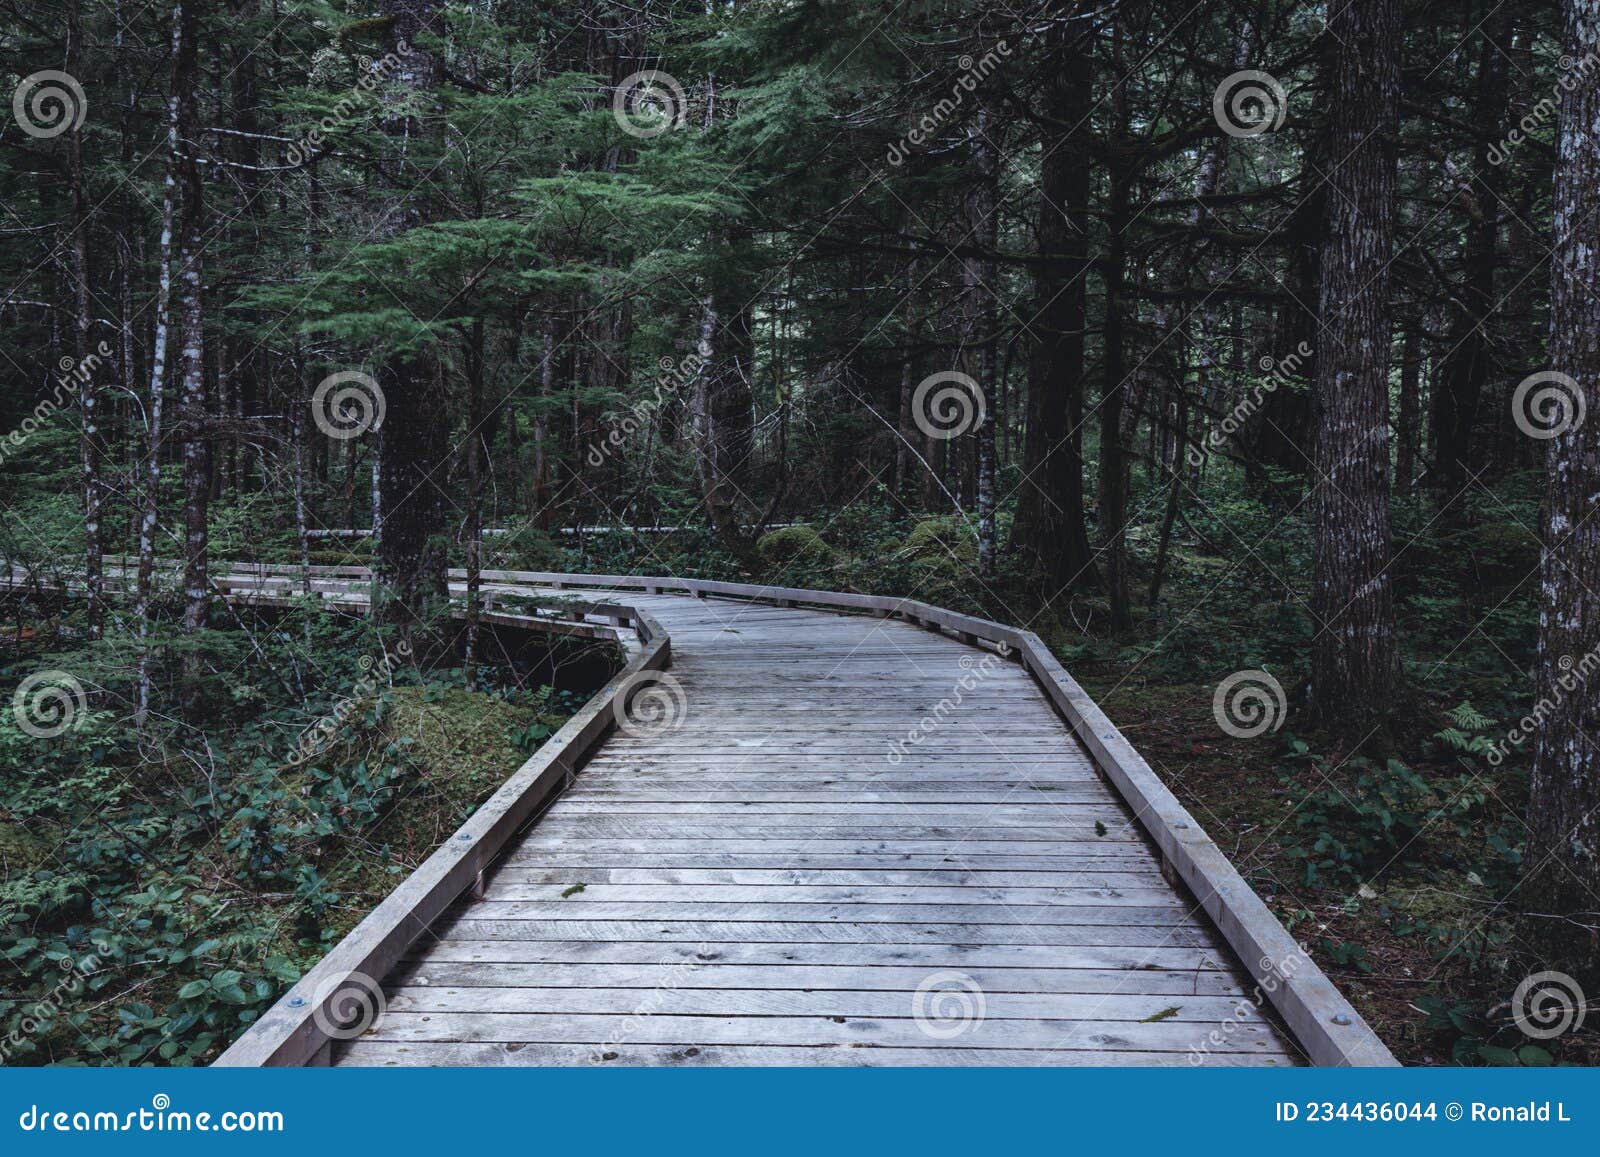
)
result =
(1244, 340)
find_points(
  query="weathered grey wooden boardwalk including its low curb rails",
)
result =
(807, 828)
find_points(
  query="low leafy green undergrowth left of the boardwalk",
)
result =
(161, 892)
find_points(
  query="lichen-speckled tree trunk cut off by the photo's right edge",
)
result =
(1564, 807)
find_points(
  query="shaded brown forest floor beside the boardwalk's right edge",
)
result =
(1417, 947)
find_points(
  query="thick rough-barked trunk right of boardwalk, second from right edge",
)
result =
(1354, 652)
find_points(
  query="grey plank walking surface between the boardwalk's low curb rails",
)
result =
(860, 844)
